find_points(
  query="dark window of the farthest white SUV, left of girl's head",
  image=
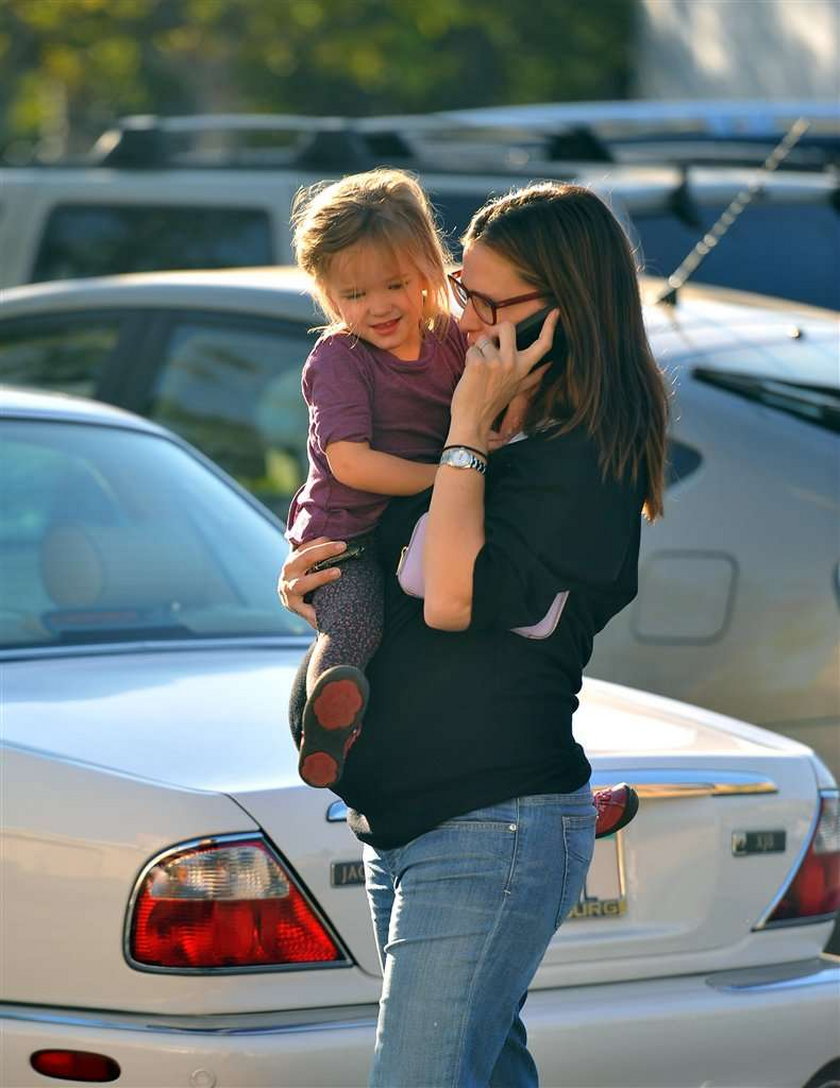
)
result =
(93, 240)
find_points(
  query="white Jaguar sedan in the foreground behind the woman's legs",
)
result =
(180, 910)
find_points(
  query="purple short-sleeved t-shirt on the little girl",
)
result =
(361, 393)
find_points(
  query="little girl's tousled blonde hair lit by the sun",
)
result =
(381, 207)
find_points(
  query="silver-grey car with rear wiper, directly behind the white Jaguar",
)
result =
(738, 608)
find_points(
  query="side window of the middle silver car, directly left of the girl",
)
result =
(236, 393)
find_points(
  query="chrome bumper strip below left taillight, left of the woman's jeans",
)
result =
(212, 1024)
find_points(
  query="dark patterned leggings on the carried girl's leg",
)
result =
(350, 617)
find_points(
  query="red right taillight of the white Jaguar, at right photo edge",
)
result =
(814, 893)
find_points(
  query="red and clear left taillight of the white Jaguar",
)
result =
(226, 905)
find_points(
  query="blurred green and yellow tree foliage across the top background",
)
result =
(69, 68)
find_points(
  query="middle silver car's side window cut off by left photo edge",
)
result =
(67, 356)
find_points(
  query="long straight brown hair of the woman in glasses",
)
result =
(569, 244)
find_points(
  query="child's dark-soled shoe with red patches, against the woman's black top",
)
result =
(332, 722)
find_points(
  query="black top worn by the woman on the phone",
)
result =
(461, 721)
